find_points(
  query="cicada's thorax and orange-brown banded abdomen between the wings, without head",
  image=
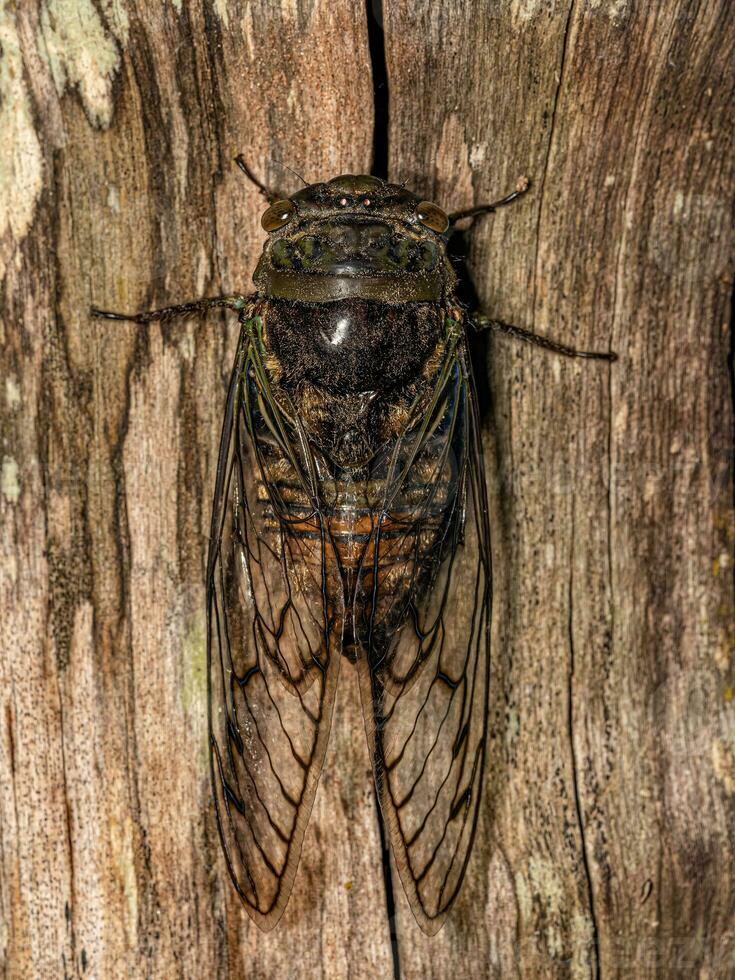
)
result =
(358, 491)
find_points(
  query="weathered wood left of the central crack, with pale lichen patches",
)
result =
(120, 123)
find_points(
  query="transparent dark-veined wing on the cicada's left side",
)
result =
(271, 622)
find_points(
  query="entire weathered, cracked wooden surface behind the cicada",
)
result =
(605, 850)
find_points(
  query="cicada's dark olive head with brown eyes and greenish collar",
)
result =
(355, 236)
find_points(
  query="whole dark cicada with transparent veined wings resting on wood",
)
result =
(350, 531)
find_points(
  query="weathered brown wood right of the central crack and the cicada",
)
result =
(610, 798)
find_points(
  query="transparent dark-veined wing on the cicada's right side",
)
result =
(423, 616)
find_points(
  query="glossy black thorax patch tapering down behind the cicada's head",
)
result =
(354, 371)
